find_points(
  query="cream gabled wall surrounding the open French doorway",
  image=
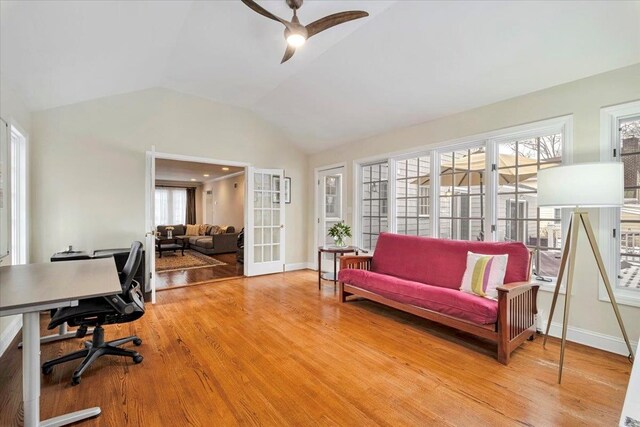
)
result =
(88, 164)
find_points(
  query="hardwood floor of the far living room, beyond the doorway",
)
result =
(173, 279)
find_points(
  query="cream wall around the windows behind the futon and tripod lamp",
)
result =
(583, 99)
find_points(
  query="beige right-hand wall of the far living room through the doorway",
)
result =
(228, 201)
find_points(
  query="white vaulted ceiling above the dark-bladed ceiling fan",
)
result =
(409, 62)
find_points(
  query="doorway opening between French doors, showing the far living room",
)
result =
(199, 216)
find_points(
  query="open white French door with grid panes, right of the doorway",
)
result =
(265, 230)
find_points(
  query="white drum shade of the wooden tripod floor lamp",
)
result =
(583, 184)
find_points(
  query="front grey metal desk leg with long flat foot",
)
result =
(31, 379)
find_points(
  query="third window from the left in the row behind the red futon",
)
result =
(462, 190)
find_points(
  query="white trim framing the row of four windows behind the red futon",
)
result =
(490, 140)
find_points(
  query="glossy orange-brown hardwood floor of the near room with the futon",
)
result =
(274, 350)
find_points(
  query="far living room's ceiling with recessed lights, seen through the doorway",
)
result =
(174, 170)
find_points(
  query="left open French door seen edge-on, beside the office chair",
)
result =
(150, 234)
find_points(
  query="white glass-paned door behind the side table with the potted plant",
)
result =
(330, 208)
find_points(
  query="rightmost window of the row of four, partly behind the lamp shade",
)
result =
(519, 218)
